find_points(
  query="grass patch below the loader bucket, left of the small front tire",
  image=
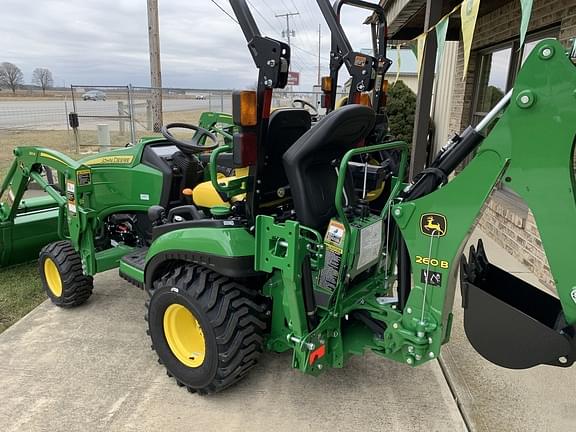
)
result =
(20, 292)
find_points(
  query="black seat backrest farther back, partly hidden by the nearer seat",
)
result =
(284, 129)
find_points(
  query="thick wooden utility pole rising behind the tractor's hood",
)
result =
(155, 72)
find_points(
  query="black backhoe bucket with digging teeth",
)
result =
(510, 322)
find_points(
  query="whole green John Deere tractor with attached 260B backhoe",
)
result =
(287, 254)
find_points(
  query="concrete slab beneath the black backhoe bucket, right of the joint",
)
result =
(497, 399)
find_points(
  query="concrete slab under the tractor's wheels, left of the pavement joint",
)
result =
(91, 369)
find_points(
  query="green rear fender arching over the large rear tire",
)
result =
(228, 251)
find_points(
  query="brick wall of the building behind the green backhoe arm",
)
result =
(517, 233)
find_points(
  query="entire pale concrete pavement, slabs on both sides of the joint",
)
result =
(91, 368)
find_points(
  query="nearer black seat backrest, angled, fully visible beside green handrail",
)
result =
(308, 163)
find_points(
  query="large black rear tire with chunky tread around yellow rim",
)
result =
(232, 317)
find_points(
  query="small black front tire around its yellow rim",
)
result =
(76, 286)
